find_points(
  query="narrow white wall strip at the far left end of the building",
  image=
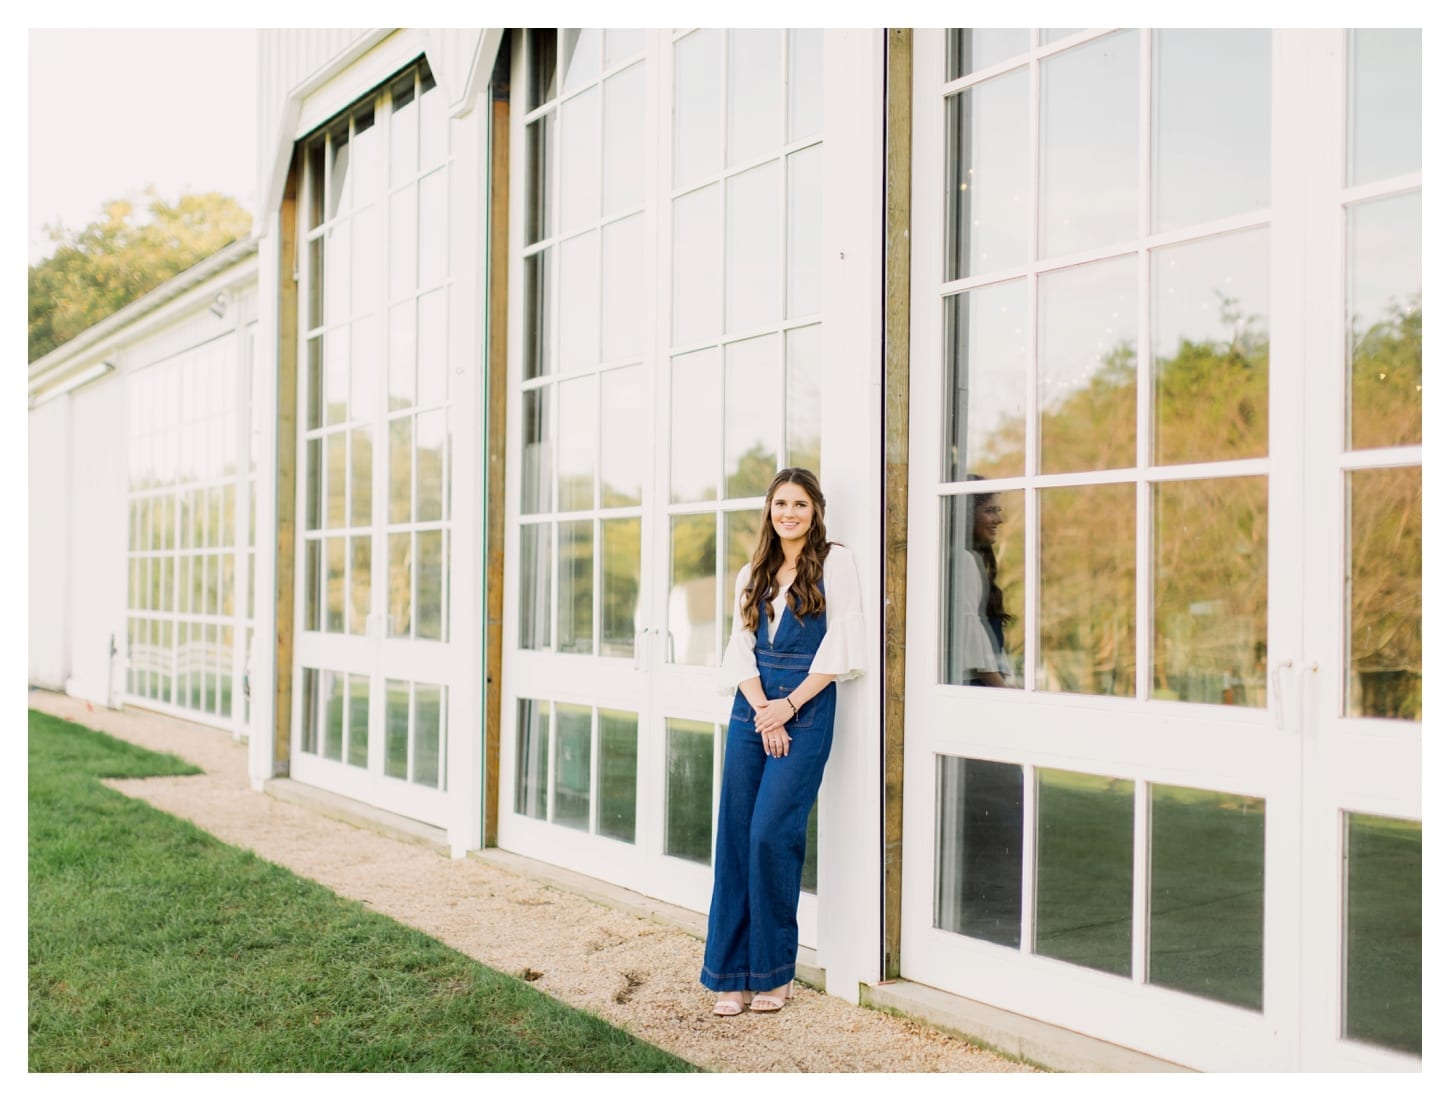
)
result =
(50, 523)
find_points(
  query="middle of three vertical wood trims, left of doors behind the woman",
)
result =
(495, 398)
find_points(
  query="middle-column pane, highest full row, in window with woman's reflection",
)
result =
(1090, 186)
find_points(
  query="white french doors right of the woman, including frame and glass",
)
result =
(1114, 355)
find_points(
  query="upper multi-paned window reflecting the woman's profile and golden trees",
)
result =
(1106, 297)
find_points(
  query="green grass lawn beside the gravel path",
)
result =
(154, 947)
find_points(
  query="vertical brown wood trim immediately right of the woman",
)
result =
(897, 371)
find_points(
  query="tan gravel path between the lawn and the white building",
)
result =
(637, 974)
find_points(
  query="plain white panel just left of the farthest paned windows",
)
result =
(98, 559)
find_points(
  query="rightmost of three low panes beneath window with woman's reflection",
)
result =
(1207, 894)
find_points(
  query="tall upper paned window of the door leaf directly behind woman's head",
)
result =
(746, 307)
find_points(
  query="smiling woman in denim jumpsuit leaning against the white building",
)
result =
(798, 630)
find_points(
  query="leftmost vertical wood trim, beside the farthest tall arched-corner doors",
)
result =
(286, 491)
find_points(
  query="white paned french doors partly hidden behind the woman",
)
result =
(666, 363)
